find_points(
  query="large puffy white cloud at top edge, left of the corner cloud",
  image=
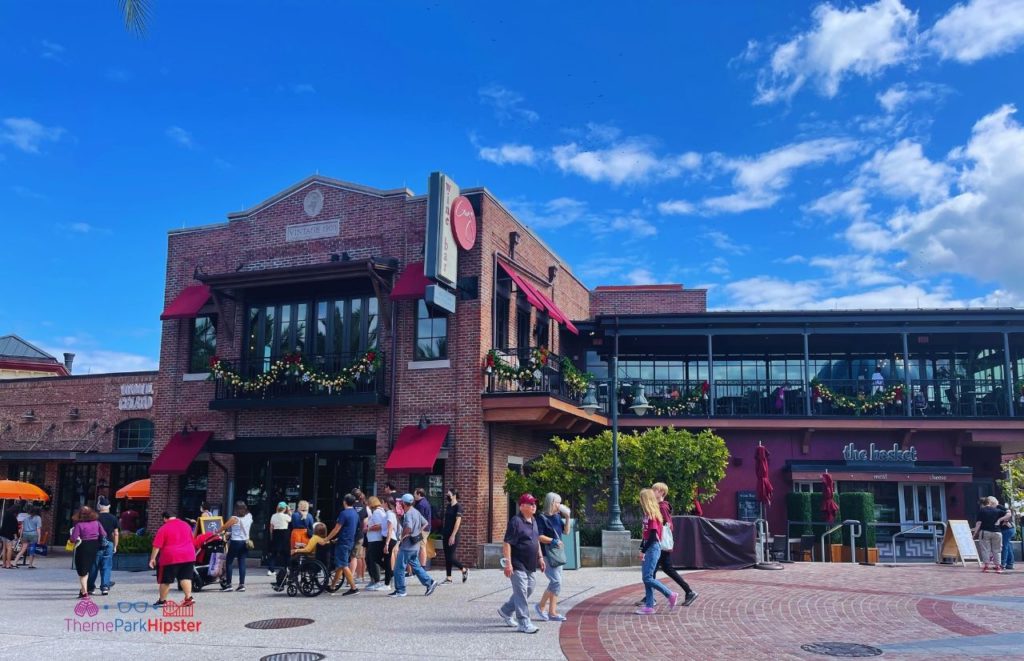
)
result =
(863, 41)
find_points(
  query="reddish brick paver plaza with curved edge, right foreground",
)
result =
(910, 612)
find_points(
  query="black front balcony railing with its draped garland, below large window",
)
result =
(326, 379)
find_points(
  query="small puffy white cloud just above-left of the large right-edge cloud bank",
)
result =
(905, 172)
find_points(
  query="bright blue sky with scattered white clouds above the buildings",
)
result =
(784, 155)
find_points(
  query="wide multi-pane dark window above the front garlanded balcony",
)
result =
(336, 331)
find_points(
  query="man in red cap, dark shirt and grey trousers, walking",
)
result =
(522, 558)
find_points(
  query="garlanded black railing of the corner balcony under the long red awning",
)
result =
(530, 370)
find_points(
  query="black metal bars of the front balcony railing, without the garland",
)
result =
(290, 384)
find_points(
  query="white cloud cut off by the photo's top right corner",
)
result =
(978, 29)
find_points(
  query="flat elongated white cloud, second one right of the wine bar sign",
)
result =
(631, 161)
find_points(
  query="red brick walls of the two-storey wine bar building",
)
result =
(372, 226)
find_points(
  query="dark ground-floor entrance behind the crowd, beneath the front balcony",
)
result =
(322, 478)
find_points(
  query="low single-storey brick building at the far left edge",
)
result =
(77, 437)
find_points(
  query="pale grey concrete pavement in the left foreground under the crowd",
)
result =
(459, 622)
